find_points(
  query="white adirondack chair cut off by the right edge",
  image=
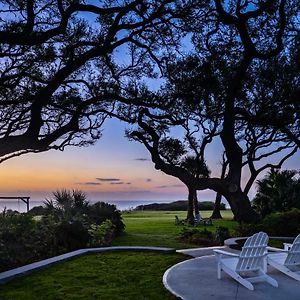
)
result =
(288, 259)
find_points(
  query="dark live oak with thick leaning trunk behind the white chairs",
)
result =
(241, 85)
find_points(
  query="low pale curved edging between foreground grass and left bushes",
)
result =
(27, 269)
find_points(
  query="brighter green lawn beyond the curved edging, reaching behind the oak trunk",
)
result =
(157, 228)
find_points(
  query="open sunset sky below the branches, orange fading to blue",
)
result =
(113, 169)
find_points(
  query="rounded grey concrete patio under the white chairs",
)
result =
(196, 279)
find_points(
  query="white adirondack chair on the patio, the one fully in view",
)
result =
(251, 260)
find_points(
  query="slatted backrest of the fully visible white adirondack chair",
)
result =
(253, 252)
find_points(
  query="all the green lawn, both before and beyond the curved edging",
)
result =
(115, 275)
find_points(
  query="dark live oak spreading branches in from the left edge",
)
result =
(64, 64)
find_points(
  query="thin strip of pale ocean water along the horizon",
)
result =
(120, 204)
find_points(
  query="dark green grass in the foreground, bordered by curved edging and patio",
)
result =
(115, 275)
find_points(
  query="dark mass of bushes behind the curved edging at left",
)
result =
(70, 223)
